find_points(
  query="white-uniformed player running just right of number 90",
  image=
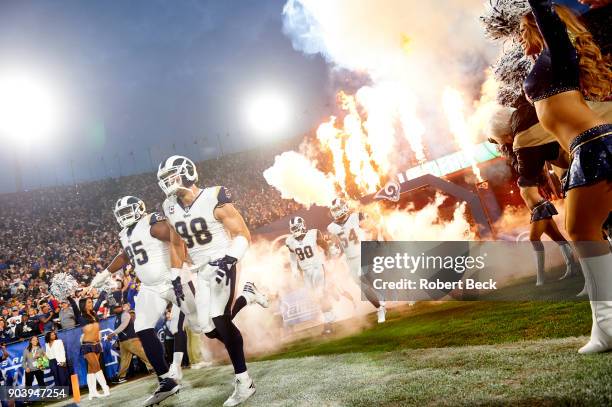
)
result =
(347, 229)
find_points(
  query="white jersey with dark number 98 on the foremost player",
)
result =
(206, 237)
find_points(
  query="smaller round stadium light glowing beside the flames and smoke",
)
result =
(268, 113)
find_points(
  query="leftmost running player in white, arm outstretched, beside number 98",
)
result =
(147, 242)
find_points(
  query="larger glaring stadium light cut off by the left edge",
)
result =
(29, 108)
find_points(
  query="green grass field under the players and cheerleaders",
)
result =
(447, 353)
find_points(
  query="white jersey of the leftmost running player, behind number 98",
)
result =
(149, 255)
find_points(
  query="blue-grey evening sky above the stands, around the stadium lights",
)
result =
(144, 74)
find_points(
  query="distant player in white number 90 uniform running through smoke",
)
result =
(307, 250)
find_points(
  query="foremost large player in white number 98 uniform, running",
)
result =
(217, 238)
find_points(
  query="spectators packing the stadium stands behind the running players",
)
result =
(72, 229)
